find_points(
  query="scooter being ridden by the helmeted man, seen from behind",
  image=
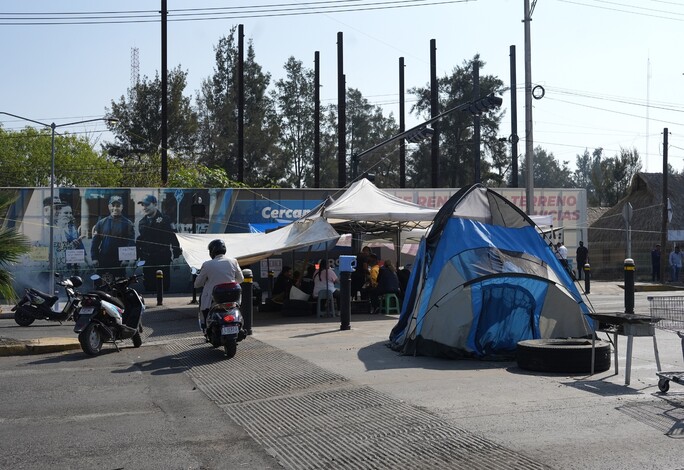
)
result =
(224, 319)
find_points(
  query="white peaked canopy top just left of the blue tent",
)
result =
(364, 208)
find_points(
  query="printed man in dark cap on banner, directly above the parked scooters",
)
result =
(109, 234)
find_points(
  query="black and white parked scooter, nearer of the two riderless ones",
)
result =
(111, 313)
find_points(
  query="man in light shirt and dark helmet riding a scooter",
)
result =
(218, 270)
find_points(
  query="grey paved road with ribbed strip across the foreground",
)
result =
(302, 394)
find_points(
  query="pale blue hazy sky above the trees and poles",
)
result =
(591, 56)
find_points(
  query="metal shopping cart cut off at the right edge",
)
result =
(670, 310)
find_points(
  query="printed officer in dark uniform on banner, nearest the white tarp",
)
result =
(157, 244)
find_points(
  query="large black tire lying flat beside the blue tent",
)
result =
(562, 355)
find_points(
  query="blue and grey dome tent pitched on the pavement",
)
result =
(483, 280)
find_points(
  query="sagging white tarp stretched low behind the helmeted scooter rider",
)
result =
(251, 247)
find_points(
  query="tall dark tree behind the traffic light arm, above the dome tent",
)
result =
(457, 165)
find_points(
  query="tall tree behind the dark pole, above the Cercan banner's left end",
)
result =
(217, 107)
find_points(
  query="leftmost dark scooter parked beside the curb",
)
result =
(37, 305)
